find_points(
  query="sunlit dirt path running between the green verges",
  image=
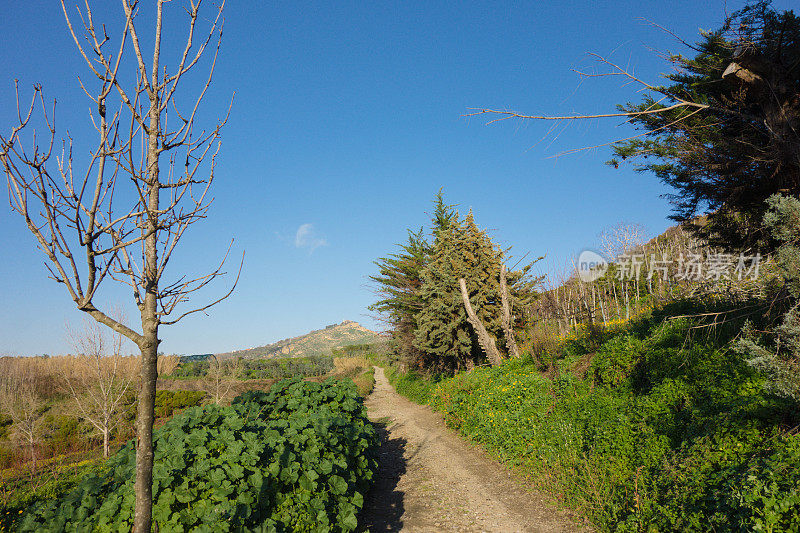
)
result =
(430, 480)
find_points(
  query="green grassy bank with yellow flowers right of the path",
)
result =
(653, 426)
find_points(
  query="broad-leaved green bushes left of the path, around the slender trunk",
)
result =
(297, 458)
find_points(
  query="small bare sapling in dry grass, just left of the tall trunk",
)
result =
(100, 378)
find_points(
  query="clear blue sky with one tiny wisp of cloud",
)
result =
(347, 120)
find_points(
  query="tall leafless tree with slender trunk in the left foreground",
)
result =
(145, 182)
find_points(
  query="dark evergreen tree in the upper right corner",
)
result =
(727, 158)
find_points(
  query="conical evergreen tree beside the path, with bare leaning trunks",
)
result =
(420, 295)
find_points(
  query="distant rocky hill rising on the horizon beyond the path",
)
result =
(318, 342)
